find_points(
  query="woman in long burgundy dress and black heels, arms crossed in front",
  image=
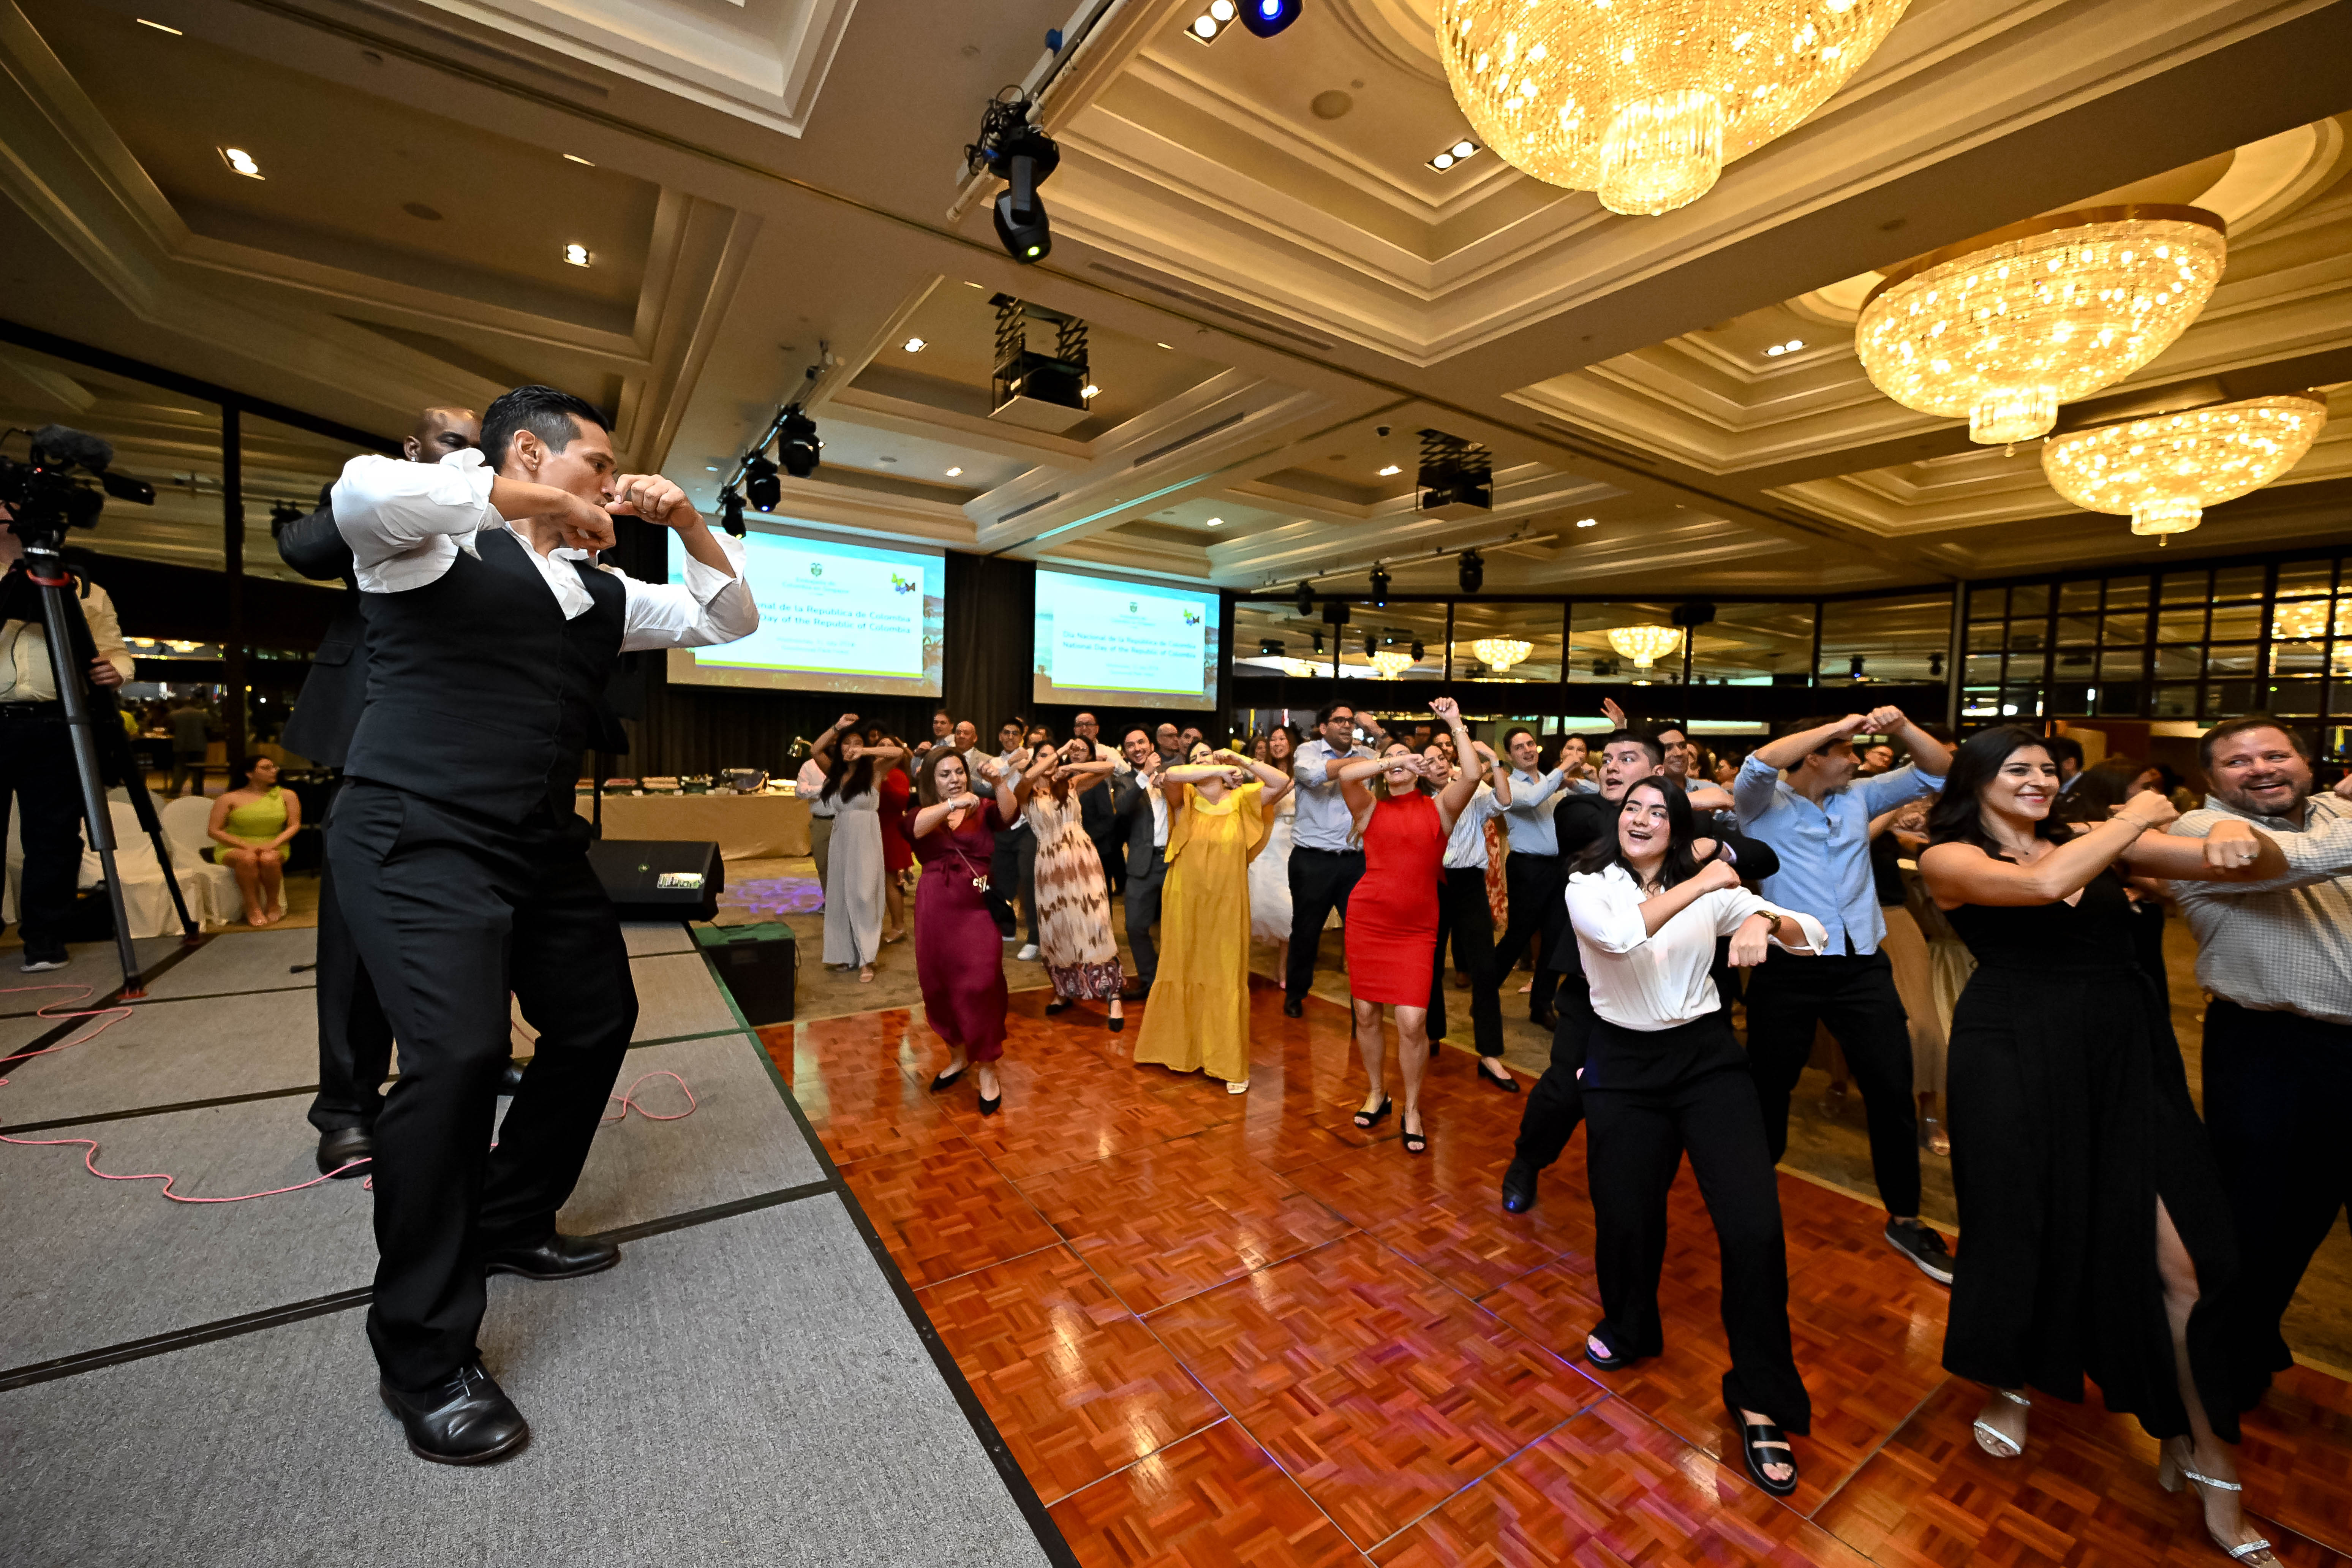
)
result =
(958, 953)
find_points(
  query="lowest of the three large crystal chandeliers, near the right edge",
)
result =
(2165, 471)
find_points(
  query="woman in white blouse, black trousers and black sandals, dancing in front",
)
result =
(1664, 1076)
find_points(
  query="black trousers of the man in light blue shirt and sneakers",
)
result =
(1855, 996)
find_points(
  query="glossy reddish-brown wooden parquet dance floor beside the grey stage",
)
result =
(1234, 1329)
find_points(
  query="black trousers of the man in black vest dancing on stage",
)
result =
(453, 913)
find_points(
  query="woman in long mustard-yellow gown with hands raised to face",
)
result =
(1198, 1012)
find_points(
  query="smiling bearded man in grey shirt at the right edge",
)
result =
(2278, 1038)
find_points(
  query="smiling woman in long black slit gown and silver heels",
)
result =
(2094, 1233)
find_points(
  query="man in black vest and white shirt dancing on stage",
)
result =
(462, 864)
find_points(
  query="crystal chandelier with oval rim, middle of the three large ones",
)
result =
(2010, 326)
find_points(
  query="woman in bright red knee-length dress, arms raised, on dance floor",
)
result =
(1405, 810)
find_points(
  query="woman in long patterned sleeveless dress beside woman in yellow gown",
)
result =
(1074, 902)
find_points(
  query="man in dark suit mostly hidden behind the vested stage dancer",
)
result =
(354, 1036)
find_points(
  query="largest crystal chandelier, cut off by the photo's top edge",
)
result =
(1648, 100)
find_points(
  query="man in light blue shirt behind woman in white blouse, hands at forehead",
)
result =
(1800, 796)
